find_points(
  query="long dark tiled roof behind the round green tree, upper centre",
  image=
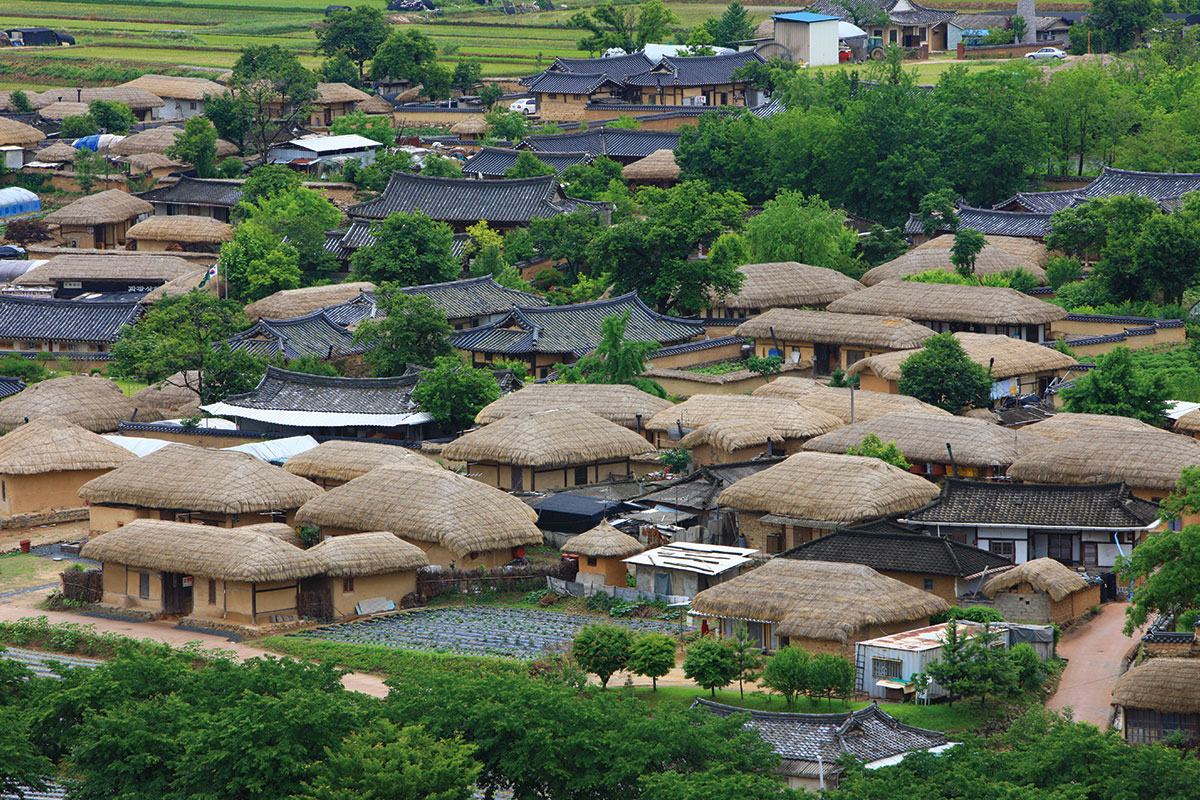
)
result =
(469, 201)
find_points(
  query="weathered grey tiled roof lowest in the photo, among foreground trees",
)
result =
(868, 735)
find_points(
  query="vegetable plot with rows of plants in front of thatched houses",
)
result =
(497, 633)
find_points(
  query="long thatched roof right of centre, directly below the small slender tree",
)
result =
(950, 303)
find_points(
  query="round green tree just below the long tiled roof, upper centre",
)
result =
(410, 250)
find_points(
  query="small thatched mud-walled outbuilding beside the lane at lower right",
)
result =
(1042, 591)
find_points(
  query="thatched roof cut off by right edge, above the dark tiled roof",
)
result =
(1143, 460)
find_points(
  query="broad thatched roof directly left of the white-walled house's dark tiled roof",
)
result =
(830, 489)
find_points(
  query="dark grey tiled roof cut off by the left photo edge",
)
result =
(64, 321)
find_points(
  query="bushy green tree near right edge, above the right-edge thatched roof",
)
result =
(1118, 387)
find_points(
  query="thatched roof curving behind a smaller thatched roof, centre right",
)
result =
(788, 417)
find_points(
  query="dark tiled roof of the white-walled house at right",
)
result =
(1037, 506)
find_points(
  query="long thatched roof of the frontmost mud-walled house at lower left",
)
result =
(226, 554)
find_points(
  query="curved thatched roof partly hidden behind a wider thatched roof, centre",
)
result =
(619, 404)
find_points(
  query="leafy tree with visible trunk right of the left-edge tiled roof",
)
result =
(178, 334)
